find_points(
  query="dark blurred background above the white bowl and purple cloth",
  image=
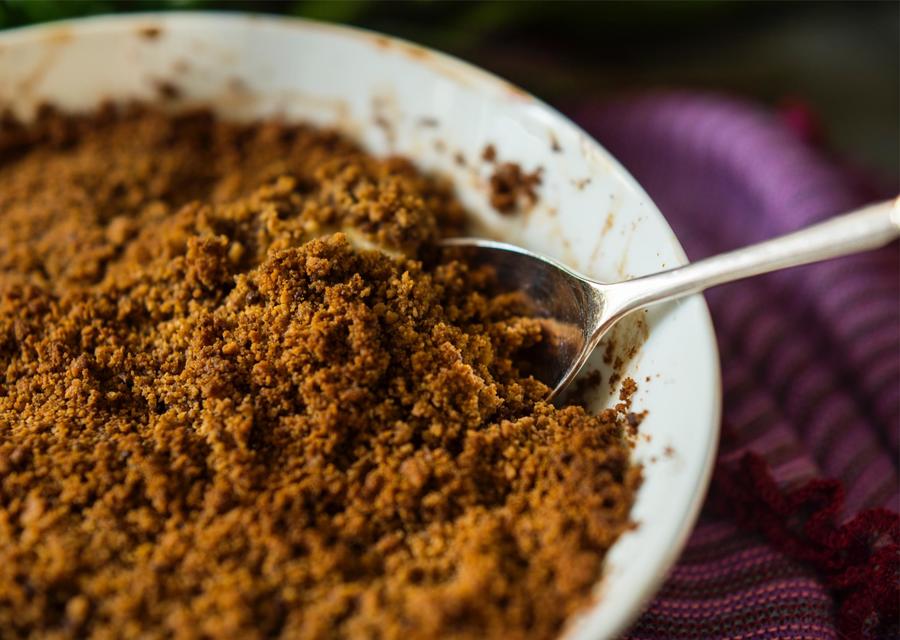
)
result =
(835, 65)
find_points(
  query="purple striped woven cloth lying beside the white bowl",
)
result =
(811, 372)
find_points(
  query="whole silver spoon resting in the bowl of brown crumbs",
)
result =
(578, 310)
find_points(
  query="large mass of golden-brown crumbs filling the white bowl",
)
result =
(222, 417)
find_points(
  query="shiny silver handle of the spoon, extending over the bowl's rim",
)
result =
(867, 228)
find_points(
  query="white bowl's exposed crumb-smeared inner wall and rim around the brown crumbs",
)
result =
(397, 97)
